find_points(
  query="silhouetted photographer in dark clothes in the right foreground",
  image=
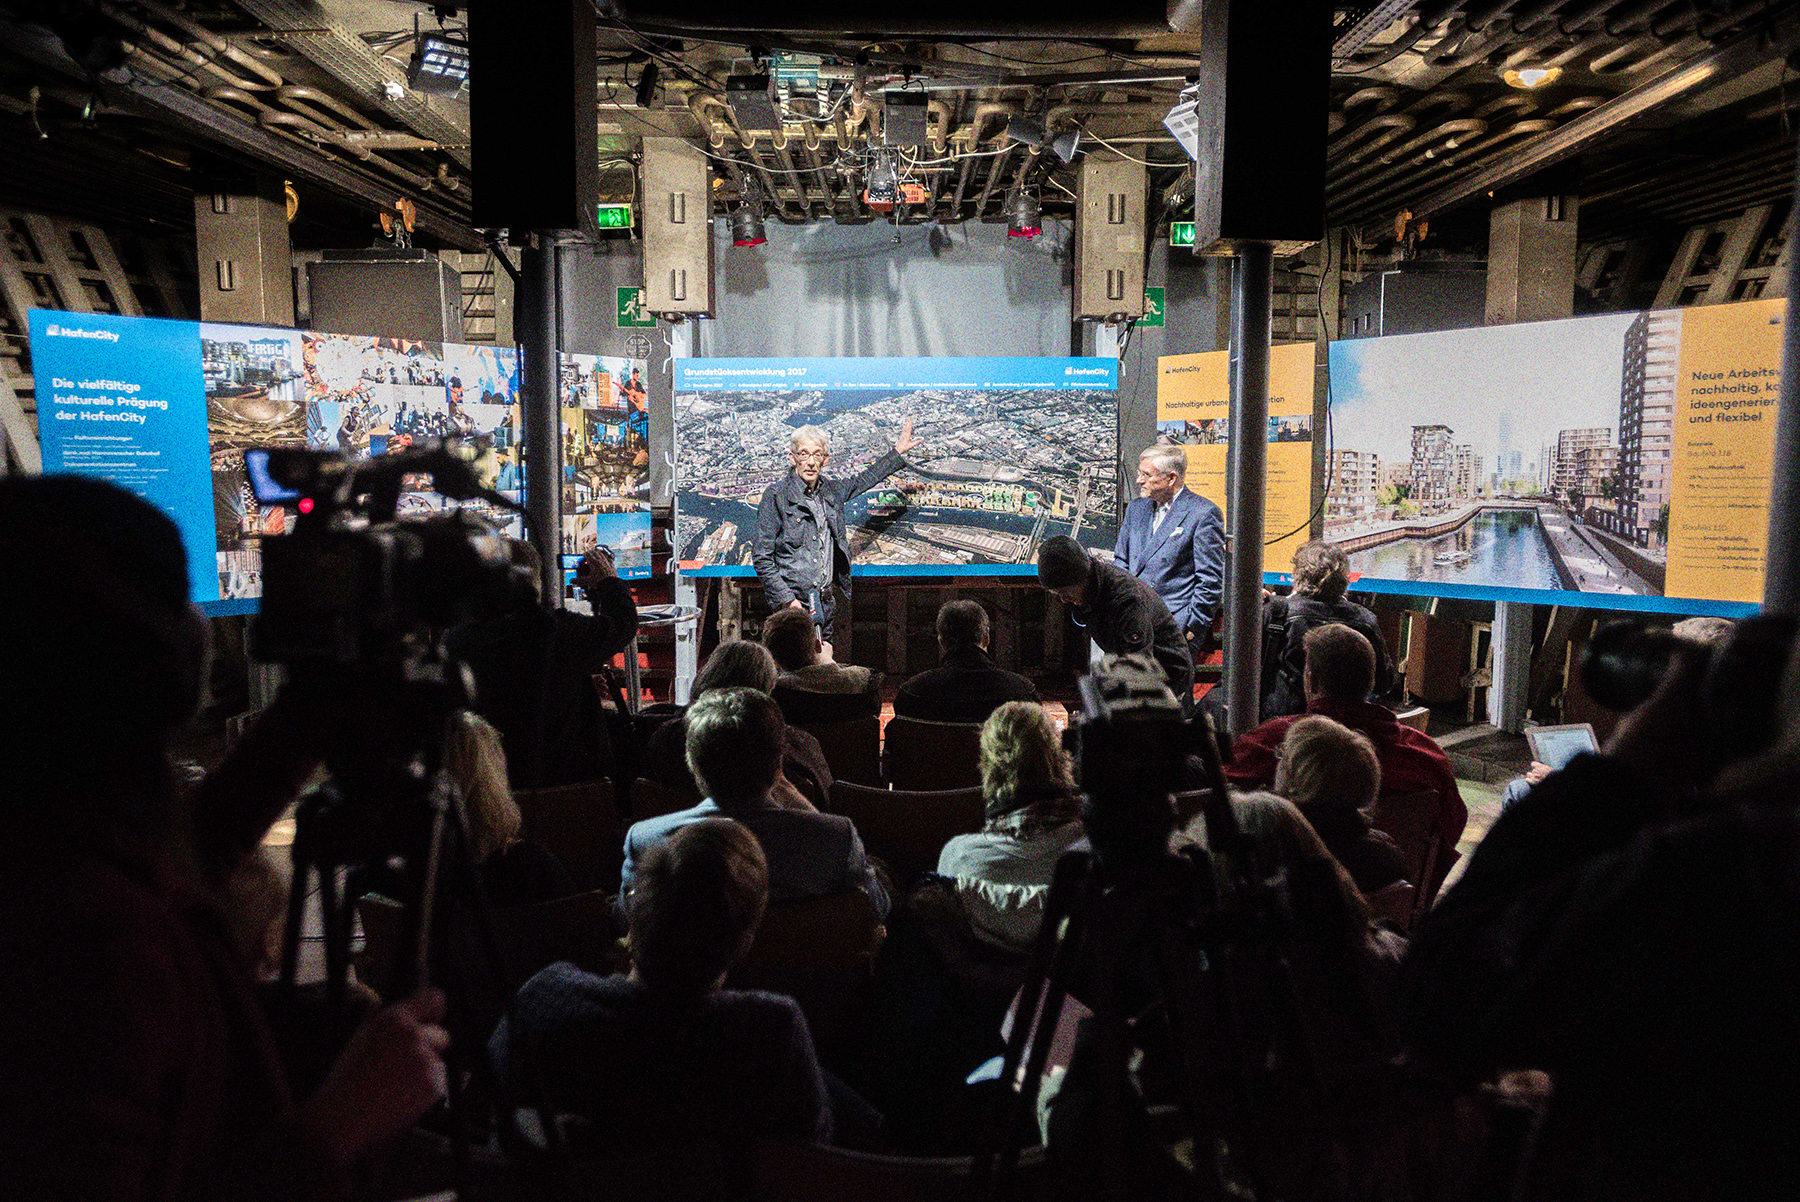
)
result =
(1630, 926)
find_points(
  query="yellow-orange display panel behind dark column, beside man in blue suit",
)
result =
(1194, 409)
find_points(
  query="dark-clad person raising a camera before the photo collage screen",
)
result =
(535, 672)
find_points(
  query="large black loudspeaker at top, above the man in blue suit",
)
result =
(1264, 82)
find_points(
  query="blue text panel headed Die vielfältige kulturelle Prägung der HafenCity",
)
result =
(125, 399)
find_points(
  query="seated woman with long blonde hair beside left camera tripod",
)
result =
(514, 870)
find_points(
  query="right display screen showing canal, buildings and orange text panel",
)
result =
(1624, 458)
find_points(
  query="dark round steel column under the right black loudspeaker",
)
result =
(1252, 282)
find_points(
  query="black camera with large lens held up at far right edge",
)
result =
(1740, 692)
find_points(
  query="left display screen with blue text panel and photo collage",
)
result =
(168, 409)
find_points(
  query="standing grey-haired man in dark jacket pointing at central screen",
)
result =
(802, 550)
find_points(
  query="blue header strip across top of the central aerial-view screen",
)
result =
(735, 375)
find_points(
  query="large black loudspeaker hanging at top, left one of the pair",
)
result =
(532, 114)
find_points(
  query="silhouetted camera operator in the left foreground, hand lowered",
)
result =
(136, 1057)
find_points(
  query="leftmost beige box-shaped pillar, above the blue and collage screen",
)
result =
(246, 256)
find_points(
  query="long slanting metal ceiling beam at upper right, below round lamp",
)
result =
(1725, 62)
